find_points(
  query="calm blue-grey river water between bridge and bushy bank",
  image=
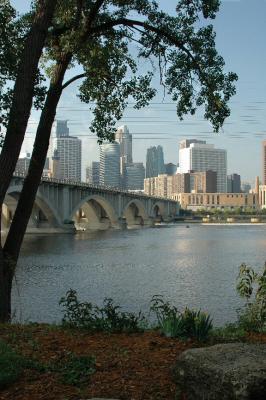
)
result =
(195, 267)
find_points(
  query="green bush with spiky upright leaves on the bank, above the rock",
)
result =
(186, 324)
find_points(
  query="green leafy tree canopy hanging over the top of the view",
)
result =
(98, 35)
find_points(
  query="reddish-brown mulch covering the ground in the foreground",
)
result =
(128, 367)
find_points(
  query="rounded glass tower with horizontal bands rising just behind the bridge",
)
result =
(110, 164)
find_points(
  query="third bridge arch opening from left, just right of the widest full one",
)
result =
(135, 213)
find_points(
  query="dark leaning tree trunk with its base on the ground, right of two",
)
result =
(27, 197)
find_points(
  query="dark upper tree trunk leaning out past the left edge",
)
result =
(23, 93)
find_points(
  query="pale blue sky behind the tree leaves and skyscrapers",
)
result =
(240, 29)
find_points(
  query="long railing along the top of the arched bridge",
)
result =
(109, 189)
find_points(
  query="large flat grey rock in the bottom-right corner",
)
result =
(235, 371)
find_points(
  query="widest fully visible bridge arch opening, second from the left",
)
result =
(94, 212)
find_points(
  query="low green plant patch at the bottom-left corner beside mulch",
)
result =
(11, 365)
